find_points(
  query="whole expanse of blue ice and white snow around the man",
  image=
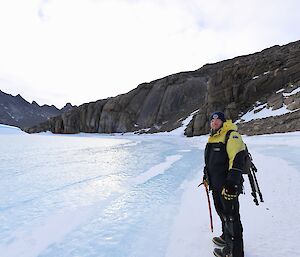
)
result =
(135, 196)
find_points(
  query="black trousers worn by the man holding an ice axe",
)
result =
(229, 213)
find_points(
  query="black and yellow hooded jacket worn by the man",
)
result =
(224, 162)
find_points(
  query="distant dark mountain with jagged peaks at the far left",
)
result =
(16, 111)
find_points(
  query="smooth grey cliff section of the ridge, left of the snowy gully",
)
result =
(157, 106)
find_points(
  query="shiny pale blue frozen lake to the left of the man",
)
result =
(91, 196)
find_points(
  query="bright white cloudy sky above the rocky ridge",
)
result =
(58, 51)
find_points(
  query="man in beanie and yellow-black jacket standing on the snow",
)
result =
(223, 173)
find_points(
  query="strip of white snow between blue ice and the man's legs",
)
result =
(190, 235)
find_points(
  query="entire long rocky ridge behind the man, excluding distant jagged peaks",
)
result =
(233, 86)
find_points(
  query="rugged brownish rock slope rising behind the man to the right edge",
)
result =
(239, 83)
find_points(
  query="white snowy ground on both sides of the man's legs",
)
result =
(190, 233)
